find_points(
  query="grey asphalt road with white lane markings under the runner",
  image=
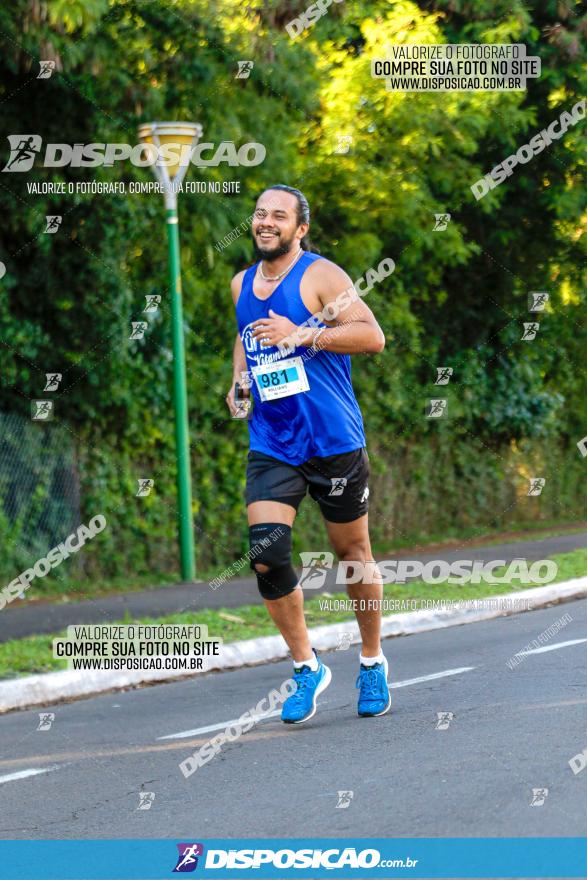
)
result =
(512, 731)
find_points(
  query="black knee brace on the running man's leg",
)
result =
(271, 546)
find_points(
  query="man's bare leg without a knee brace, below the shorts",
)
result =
(350, 542)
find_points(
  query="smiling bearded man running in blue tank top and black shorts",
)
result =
(306, 431)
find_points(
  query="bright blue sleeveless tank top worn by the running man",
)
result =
(326, 420)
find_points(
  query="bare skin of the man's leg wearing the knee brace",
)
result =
(288, 612)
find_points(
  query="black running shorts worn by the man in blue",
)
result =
(337, 482)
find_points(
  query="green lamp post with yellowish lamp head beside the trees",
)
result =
(183, 136)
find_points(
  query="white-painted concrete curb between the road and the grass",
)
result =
(40, 690)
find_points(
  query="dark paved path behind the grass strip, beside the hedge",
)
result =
(25, 618)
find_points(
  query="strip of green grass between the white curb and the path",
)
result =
(34, 654)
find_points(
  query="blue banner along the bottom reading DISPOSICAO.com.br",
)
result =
(222, 858)
